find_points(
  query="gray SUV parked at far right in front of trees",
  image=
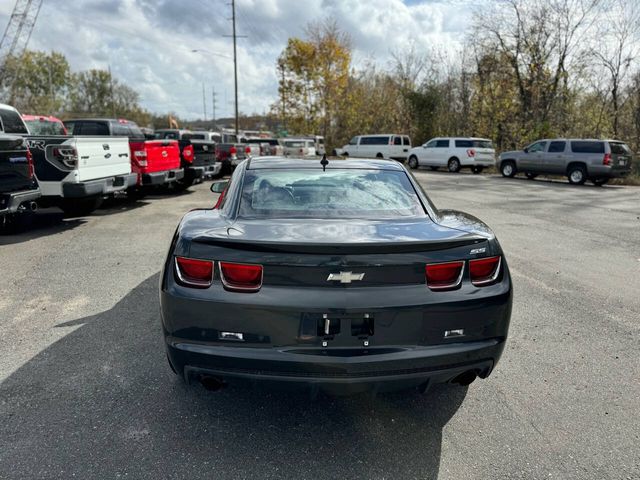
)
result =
(579, 159)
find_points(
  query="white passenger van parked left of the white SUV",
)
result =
(382, 145)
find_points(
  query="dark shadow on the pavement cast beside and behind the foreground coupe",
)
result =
(102, 403)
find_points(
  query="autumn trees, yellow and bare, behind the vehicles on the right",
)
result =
(527, 70)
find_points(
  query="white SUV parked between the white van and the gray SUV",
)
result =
(454, 153)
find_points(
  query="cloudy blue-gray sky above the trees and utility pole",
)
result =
(149, 43)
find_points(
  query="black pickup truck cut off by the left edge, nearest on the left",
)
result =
(18, 186)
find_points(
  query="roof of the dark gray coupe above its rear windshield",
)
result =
(264, 163)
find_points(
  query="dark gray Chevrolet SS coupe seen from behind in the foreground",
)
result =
(342, 279)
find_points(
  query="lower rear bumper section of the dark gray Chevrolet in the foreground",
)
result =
(336, 371)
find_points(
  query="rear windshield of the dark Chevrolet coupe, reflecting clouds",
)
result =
(370, 194)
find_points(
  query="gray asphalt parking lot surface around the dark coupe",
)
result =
(85, 390)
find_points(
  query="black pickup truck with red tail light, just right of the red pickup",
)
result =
(197, 154)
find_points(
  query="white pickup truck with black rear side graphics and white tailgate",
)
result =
(74, 173)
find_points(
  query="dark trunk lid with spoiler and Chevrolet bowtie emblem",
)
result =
(301, 253)
